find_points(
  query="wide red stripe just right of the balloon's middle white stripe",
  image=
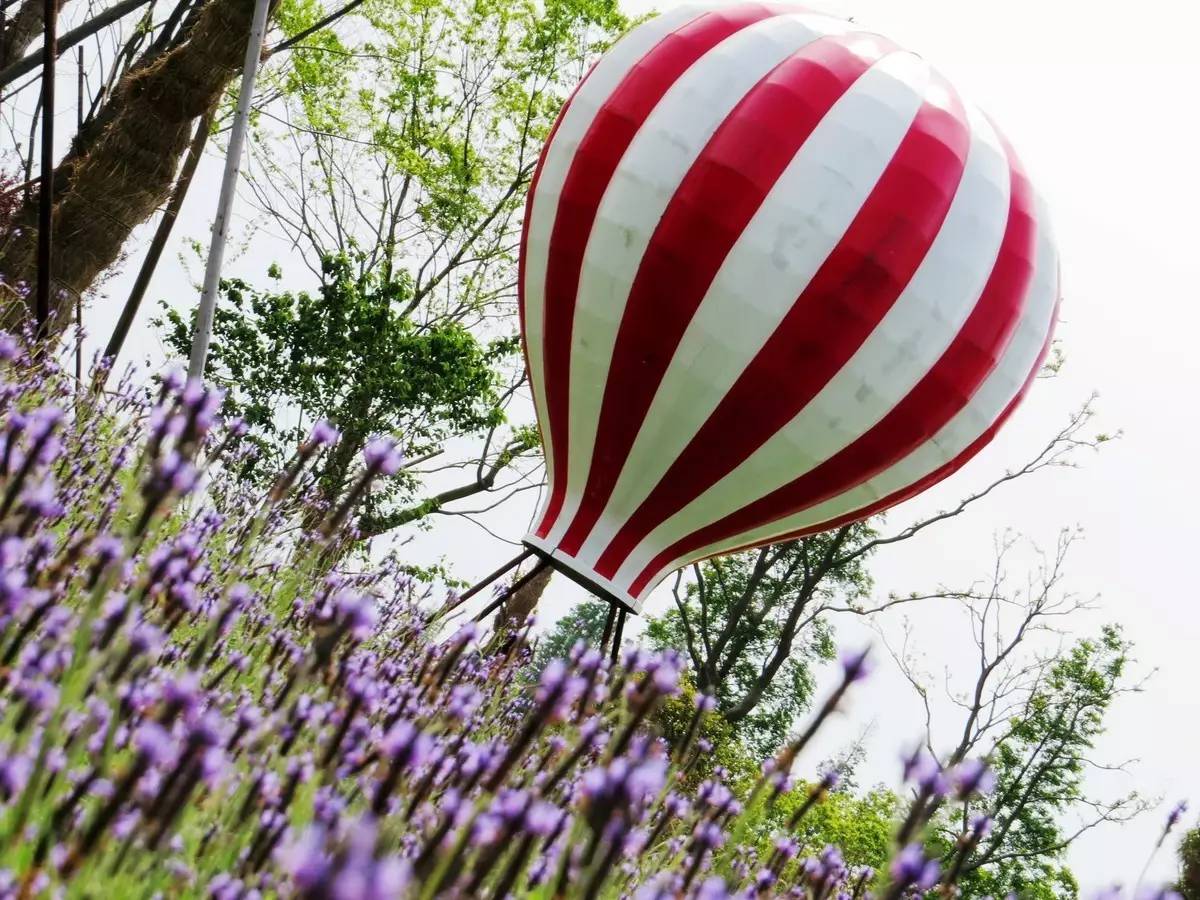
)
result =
(843, 304)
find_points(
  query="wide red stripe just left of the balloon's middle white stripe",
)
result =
(709, 213)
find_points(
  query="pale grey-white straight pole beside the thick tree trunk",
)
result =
(229, 185)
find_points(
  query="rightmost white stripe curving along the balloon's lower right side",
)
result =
(993, 398)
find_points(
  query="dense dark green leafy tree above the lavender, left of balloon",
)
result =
(351, 355)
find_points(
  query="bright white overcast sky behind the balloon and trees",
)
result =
(1100, 101)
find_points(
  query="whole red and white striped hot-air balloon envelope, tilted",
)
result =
(776, 277)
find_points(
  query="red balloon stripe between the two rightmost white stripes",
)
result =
(937, 399)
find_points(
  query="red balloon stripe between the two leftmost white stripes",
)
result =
(596, 161)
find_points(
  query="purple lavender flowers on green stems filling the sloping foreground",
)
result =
(194, 704)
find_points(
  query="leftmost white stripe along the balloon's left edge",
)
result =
(601, 83)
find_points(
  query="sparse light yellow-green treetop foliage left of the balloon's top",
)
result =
(418, 136)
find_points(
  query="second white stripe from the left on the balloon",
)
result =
(662, 154)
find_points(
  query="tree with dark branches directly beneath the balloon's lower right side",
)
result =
(754, 625)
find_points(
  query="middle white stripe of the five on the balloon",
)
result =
(803, 219)
